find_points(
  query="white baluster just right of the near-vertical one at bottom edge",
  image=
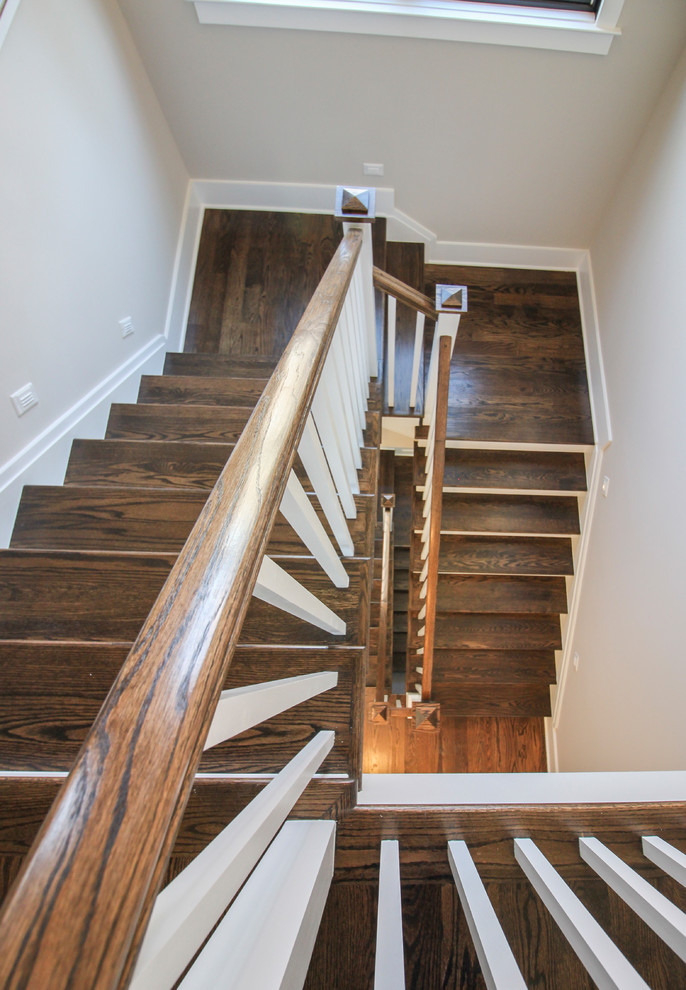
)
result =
(498, 966)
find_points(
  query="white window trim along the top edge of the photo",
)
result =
(448, 20)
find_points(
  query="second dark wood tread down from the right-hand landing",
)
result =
(532, 514)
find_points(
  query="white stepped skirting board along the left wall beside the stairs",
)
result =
(44, 460)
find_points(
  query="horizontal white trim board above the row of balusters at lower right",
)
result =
(462, 789)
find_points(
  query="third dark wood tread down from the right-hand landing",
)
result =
(505, 555)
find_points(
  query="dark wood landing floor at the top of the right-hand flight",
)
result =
(518, 371)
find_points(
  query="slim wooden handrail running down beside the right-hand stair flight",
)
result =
(440, 432)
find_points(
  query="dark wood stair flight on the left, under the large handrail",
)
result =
(86, 563)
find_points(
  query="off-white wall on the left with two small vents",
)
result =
(92, 189)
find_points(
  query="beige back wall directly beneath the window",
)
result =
(481, 143)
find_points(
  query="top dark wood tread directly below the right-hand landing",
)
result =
(515, 469)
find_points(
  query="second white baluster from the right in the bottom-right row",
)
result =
(654, 908)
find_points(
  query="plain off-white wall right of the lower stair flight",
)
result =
(624, 708)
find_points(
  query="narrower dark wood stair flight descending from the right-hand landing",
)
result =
(509, 517)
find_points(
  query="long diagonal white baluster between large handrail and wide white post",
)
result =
(188, 908)
